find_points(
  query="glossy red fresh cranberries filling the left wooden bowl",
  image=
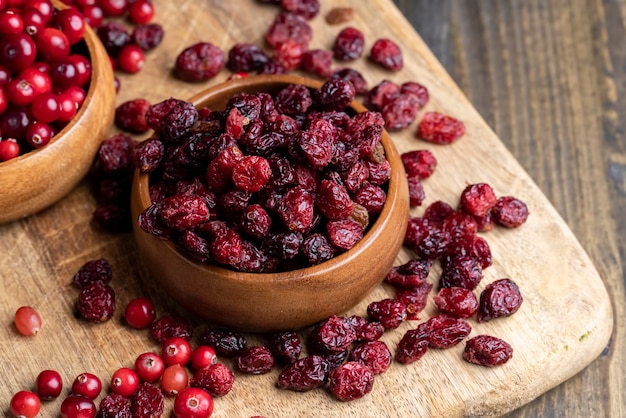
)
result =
(44, 73)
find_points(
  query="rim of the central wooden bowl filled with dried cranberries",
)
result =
(141, 180)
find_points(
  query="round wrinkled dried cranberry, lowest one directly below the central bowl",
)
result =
(350, 381)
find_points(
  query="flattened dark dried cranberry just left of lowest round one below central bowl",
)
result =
(305, 374)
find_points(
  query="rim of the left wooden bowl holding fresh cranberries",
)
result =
(89, 37)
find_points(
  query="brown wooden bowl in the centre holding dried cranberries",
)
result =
(279, 301)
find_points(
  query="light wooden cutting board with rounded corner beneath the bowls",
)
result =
(564, 323)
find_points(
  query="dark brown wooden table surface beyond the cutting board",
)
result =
(550, 78)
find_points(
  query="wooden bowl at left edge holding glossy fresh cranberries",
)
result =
(39, 178)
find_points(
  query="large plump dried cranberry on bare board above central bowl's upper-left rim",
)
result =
(199, 62)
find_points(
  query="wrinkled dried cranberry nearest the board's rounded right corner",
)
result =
(500, 298)
